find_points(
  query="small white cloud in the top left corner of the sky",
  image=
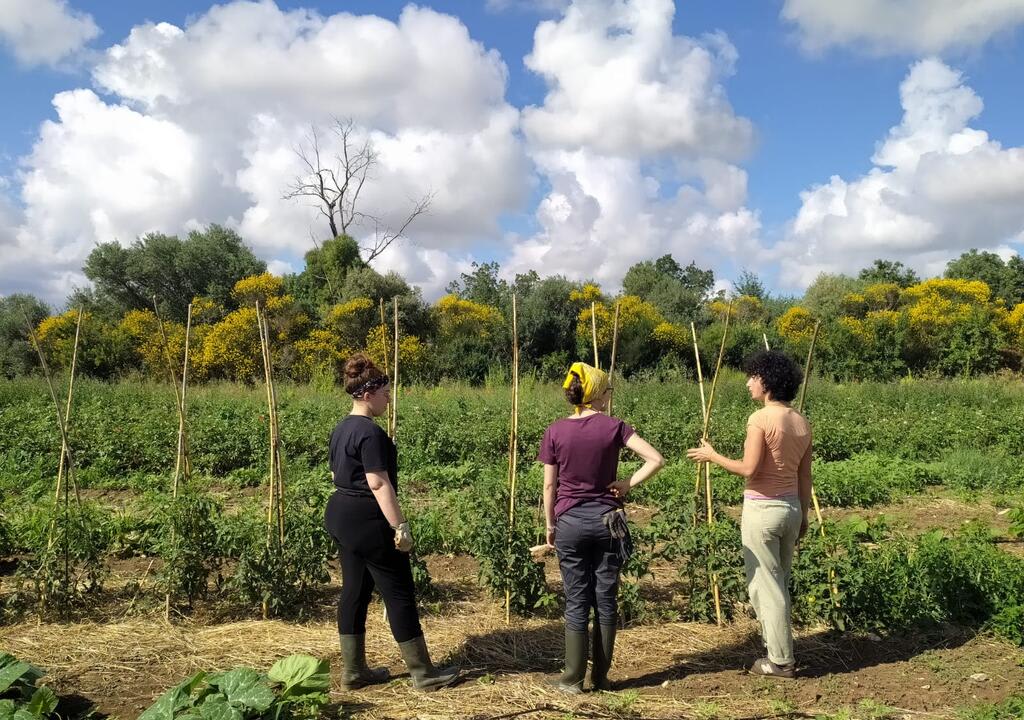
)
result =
(44, 32)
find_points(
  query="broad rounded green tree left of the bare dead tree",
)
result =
(207, 263)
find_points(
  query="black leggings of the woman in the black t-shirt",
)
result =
(369, 559)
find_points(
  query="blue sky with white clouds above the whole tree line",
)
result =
(818, 95)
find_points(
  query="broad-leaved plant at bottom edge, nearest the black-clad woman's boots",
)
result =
(295, 688)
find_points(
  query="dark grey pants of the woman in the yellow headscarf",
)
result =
(590, 565)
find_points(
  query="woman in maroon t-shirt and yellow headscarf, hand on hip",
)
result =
(583, 502)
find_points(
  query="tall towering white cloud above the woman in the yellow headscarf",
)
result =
(637, 143)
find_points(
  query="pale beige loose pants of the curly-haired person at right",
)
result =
(771, 530)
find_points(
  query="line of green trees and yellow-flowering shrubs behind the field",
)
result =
(882, 324)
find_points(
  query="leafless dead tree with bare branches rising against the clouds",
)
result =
(335, 184)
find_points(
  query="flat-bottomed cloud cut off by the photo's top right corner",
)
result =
(917, 27)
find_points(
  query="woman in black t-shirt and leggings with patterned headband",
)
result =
(373, 537)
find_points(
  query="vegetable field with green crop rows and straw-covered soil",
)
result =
(911, 599)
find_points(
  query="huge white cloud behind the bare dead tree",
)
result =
(200, 124)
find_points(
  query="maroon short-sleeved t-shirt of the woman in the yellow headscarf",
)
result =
(586, 452)
